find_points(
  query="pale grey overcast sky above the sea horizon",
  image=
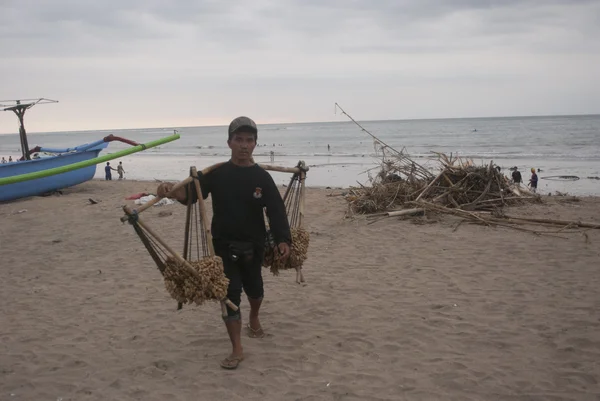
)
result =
(163, 63)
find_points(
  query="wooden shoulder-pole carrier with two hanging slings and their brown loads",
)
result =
(197, 276)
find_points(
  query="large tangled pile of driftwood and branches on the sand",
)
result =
(475, 194)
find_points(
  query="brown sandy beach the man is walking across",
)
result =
(390, 311)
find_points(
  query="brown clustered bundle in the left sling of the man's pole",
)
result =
(209, 284)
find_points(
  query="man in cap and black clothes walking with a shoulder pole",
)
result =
(240, 190)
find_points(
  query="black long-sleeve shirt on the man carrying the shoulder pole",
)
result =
(239, 195)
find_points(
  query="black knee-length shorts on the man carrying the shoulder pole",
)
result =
(242, 262)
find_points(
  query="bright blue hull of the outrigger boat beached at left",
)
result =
(47, 184)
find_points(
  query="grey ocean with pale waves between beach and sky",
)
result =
(557, 145)
